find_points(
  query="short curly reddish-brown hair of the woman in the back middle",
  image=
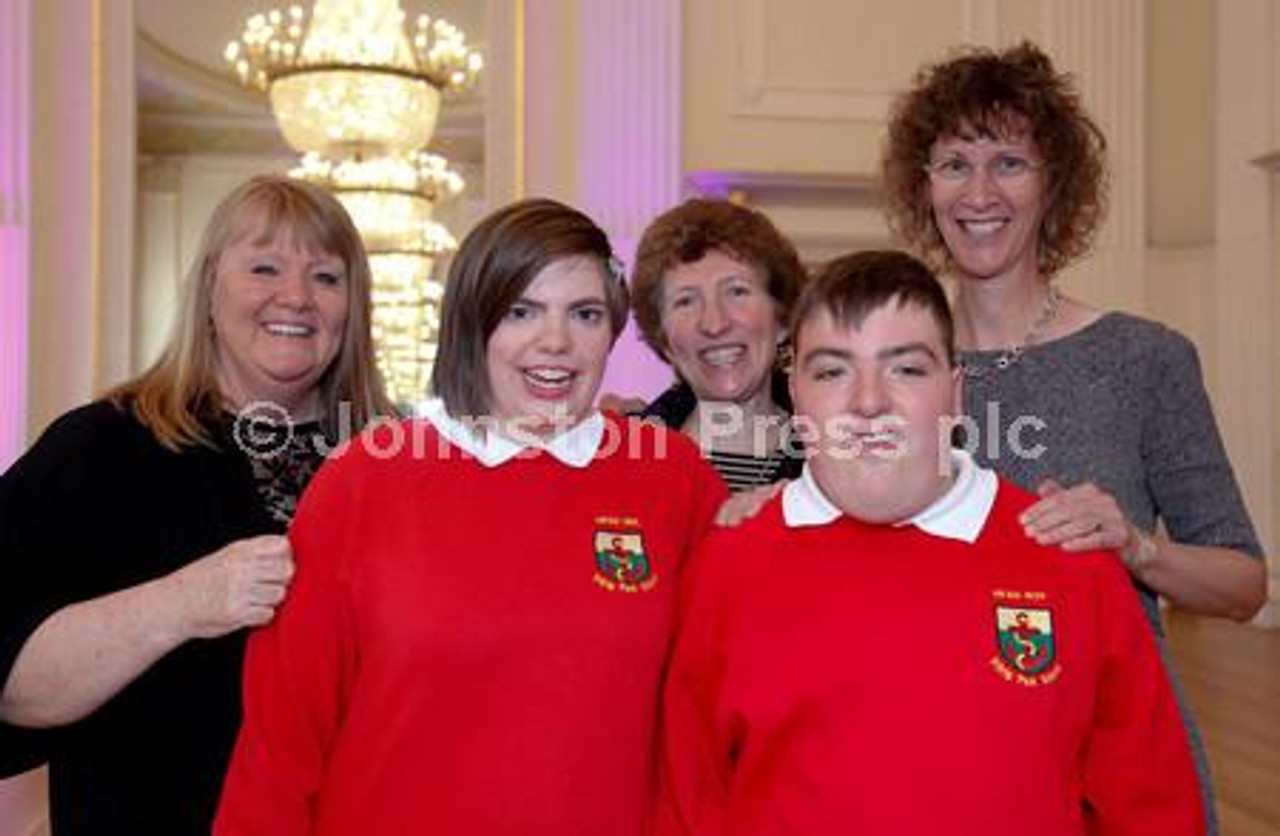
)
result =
(687, 234)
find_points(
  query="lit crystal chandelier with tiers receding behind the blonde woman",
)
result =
(359, 99)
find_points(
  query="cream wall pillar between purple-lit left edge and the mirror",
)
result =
(84, 150)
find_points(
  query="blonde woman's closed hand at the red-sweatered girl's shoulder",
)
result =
(240, 586)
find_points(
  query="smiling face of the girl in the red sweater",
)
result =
(547, 357)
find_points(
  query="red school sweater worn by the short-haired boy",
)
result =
(860, 679)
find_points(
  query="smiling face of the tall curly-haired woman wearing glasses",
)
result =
(989, 199)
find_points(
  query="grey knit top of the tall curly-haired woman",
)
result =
(1122, 404)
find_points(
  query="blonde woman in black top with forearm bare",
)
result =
(143, 535)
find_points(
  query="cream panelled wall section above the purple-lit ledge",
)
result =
(802, 86)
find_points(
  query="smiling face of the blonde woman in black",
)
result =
(278, 314)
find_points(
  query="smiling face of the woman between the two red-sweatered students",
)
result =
(721, 327)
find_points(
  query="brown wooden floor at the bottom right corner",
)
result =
(1232, 675)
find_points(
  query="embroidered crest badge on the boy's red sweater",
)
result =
(1026, 643)
